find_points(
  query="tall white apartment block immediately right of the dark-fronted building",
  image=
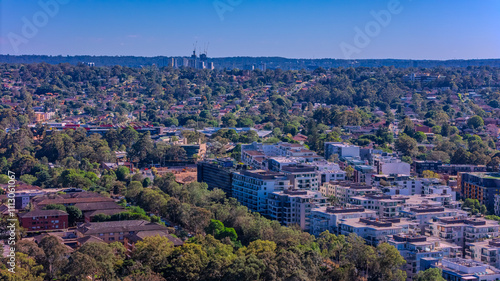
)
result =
(252, 188)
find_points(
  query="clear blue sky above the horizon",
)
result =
(417, 29)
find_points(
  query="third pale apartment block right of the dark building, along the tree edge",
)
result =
(328, 218)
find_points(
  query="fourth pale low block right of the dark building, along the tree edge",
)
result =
(376, 230)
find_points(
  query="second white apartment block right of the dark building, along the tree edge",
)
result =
(294, 206)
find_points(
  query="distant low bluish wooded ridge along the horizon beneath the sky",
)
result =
(249, 62)
